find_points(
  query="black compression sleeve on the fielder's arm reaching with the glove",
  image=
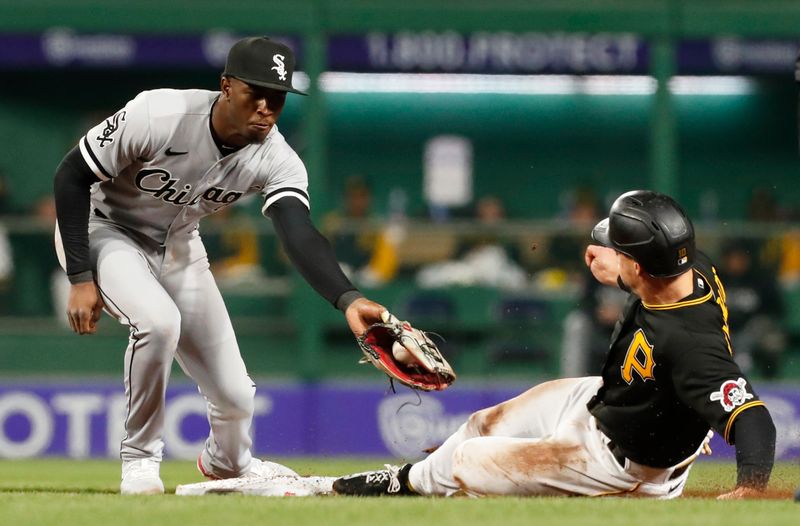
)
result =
(309, 251)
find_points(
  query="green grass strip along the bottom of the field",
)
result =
(65, 492)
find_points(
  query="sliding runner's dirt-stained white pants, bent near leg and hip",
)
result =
(574, 460)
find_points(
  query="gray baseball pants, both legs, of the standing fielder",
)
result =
(170, 301)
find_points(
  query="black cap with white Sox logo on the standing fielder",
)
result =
(262, 62)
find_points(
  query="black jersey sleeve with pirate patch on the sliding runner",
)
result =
(708, 380)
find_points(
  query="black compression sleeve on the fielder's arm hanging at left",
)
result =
(71, 186)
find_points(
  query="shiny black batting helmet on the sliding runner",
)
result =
(652, 229)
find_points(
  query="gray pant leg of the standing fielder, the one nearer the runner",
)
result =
(209, 354)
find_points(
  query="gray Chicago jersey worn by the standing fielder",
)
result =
(161, 170)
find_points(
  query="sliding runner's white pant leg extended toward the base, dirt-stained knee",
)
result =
(535, 414)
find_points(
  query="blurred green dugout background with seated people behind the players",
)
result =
(457, 173)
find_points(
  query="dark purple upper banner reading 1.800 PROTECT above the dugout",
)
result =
(409, 52)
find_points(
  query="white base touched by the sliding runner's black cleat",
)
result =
(274, 486)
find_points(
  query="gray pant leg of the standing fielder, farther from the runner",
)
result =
(133, 294)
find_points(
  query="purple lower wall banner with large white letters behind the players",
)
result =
(80, 420)
